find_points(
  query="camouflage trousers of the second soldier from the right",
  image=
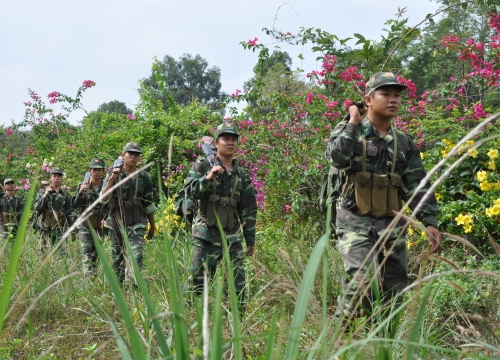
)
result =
(206, 254)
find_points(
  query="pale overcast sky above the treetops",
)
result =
(55, 45)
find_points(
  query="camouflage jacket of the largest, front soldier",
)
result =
(344, 151)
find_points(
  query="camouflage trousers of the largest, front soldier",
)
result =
(386, 266)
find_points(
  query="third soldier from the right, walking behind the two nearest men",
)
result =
(131, 207)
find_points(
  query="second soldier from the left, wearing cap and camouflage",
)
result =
(54, 207)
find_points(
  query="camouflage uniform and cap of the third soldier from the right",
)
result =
(139, 191)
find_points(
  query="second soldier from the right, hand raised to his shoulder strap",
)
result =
(224, 189)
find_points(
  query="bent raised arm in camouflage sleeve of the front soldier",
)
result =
(340, 148)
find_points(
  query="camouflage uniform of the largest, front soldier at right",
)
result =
(357, 234)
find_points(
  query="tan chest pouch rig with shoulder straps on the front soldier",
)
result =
(375, 195)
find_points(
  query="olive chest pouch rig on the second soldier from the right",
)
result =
(224, 207)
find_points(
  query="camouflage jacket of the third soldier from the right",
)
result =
(140, 188)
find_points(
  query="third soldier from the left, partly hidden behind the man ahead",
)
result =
(86, 194)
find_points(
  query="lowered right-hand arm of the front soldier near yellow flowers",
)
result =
(413, 174)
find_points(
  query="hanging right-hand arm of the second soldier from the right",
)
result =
(247, 209)
